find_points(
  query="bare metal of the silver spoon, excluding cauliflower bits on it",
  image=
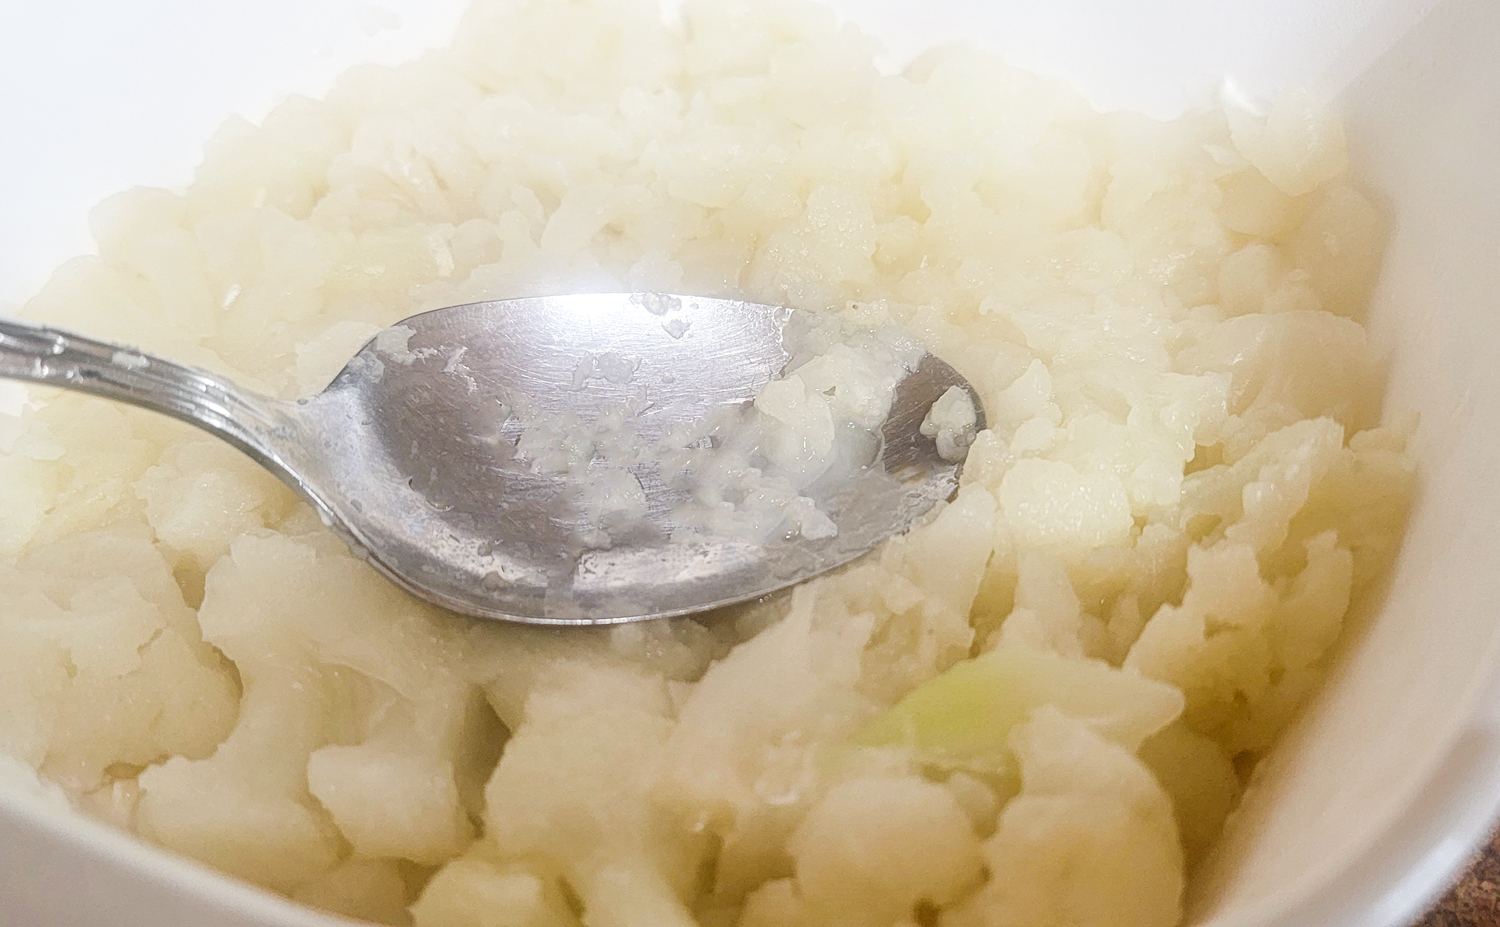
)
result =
(398, 454)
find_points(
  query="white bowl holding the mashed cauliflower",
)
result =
(1390, 781)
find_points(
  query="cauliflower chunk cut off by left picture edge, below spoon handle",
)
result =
(109, 667)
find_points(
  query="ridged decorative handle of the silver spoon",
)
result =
(61, 359)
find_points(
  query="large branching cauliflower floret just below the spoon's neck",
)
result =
(379, 755)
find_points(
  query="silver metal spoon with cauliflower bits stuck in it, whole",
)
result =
(586, 460)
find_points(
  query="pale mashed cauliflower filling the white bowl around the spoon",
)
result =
(1033, 710)
